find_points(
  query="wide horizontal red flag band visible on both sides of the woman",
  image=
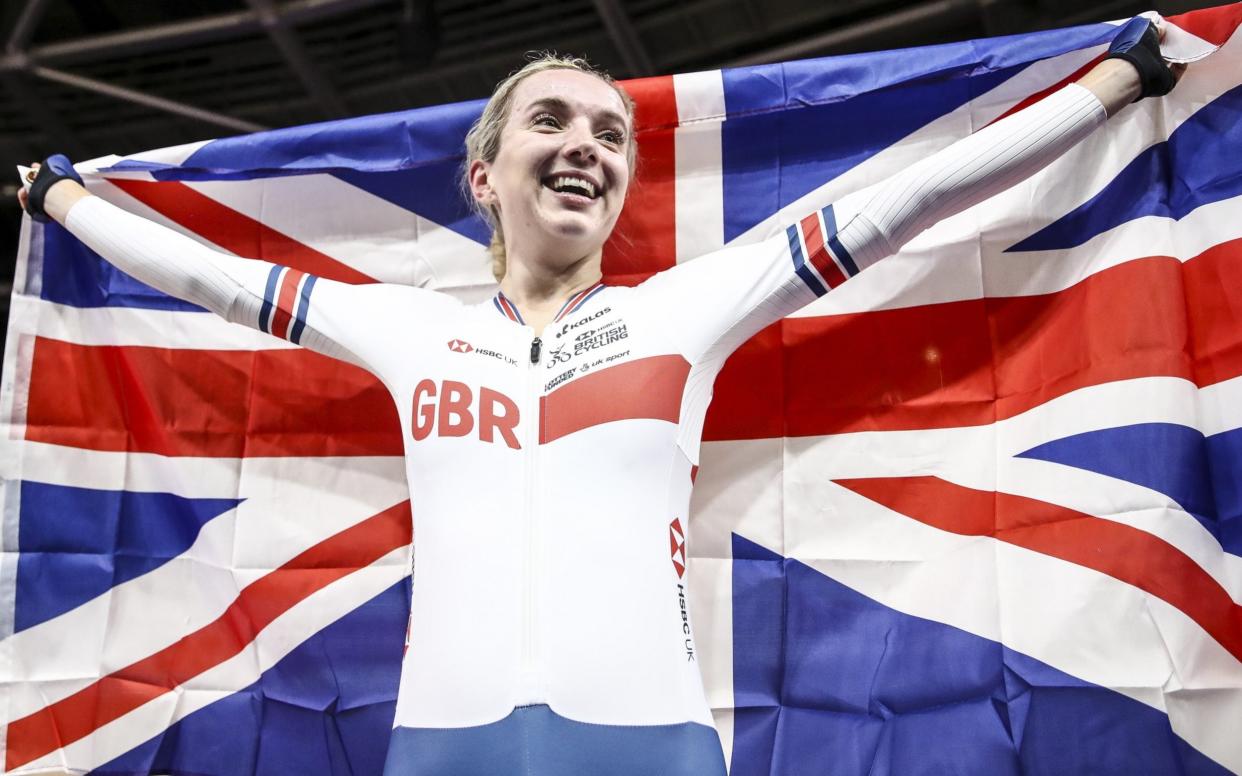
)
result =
(935, 367)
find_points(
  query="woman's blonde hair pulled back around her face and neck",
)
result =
(484, 140)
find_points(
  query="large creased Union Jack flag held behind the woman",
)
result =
(978, 511)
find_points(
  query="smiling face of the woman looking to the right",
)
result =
(562, 173)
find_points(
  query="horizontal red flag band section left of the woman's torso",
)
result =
(208, 403)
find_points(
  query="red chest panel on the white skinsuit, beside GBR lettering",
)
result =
(646, 388)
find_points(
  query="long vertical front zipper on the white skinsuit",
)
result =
(532, 686)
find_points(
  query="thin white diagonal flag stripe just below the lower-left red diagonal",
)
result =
(270, 646)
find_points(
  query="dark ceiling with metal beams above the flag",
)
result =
(95, 78)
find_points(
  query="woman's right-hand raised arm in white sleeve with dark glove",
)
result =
(756, 285)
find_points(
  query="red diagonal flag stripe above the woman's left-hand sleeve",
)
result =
(235, 232)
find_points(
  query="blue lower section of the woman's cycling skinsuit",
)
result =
(537, 742)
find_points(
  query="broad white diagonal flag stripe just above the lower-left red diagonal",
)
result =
(280, 520)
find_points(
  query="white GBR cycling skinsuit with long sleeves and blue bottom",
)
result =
(551, 471)
